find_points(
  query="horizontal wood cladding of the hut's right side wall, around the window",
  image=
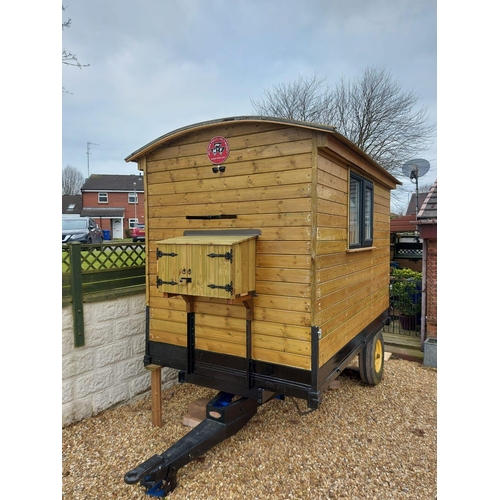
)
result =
(351, 288)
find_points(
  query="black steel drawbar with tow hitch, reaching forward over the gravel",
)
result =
(225, 418)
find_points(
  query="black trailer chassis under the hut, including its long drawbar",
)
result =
(228, 412)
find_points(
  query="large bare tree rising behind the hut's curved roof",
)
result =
(373, 112)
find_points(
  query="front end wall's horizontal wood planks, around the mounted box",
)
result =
(267, 185)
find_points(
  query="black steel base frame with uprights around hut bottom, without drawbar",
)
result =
(251, 378)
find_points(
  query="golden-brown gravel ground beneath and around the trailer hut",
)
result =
(363, 443)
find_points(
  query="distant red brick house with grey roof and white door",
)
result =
(115, 202)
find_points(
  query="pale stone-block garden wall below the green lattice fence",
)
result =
(108, 370)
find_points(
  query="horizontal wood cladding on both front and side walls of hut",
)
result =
(275, 180)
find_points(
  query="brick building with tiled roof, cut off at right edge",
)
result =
(427, 227)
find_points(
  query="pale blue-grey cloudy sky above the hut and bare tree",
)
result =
(157, 65)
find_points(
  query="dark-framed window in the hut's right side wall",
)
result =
(360, 212)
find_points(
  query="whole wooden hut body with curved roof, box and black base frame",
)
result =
(293, 293)
